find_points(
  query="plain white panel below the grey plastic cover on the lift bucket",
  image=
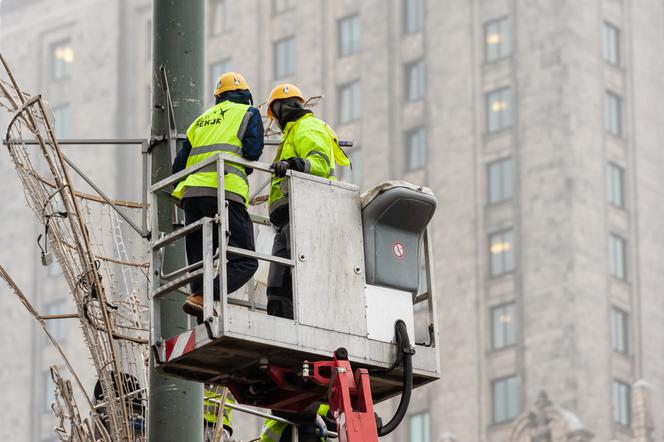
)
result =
(384, 307)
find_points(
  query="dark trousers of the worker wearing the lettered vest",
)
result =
(239, 269)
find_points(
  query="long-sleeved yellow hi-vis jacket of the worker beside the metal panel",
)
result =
(310, 139)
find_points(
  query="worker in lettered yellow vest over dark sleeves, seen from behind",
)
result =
(233, 127)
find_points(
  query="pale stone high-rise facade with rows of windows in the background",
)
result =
(535, 123)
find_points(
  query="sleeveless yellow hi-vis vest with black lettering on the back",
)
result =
(220, 129)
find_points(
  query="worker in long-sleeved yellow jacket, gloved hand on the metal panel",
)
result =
(308, 145)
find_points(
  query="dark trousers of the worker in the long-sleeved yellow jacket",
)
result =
(279, 281)
